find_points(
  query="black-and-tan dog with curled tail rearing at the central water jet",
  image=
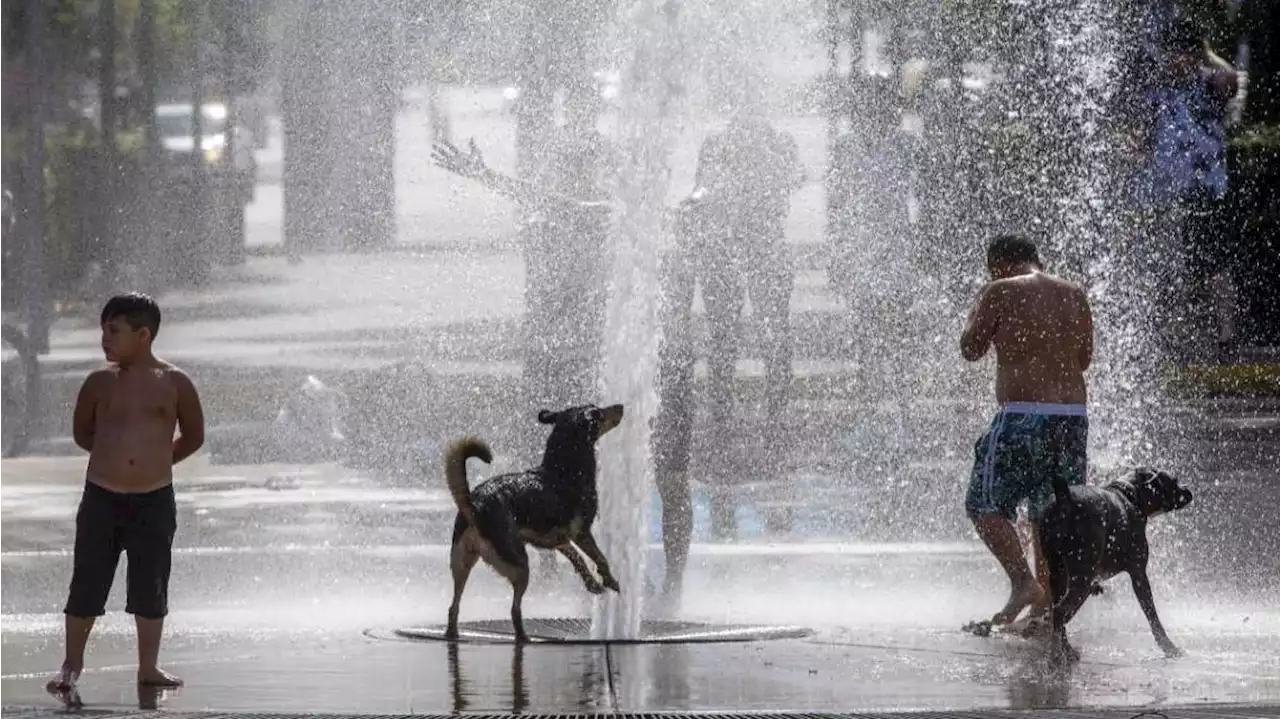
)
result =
(551, 507)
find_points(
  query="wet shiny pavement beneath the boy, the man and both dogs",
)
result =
(290, 583)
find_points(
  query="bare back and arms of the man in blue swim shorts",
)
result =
(1043, 329)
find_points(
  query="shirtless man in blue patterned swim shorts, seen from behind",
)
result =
(1043, 329)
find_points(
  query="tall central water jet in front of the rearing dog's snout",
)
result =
(647, 135)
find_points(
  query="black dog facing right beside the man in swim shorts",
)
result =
(1091, 534)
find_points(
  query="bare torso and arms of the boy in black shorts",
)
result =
(129, 416)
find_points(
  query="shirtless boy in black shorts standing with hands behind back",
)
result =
(126, 415)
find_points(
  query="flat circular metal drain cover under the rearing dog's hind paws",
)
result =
(579, 631)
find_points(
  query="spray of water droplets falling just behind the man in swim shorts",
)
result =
(1091, 221)
